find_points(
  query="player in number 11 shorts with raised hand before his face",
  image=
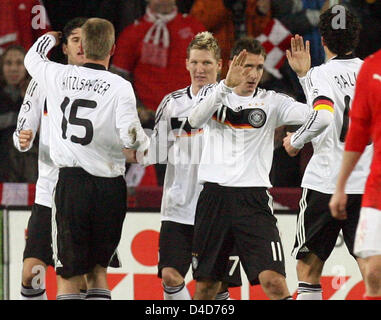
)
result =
(234, 208)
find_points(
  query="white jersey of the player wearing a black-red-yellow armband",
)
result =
(332, 84)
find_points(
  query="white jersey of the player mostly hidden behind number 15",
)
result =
(33, 116)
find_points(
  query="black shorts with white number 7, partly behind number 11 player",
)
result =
(175, 251)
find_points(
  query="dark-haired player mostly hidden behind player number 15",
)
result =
(32, 117)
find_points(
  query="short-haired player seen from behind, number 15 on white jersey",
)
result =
(92, 117)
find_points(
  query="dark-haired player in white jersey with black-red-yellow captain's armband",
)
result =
(329, 89)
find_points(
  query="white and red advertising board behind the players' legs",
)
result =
(137, 279)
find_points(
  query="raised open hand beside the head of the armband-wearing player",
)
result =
(299, 57)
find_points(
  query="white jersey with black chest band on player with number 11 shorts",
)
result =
(239, 138)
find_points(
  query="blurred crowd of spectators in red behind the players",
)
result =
(156, 66)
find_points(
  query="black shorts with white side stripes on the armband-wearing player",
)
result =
(317, 231)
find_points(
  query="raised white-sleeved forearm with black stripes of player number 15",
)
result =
(36, 57)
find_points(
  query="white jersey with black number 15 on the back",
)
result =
(90, 112)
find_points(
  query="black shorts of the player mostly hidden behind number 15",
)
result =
(38, 238)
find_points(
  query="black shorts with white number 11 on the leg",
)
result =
(239, 218)
